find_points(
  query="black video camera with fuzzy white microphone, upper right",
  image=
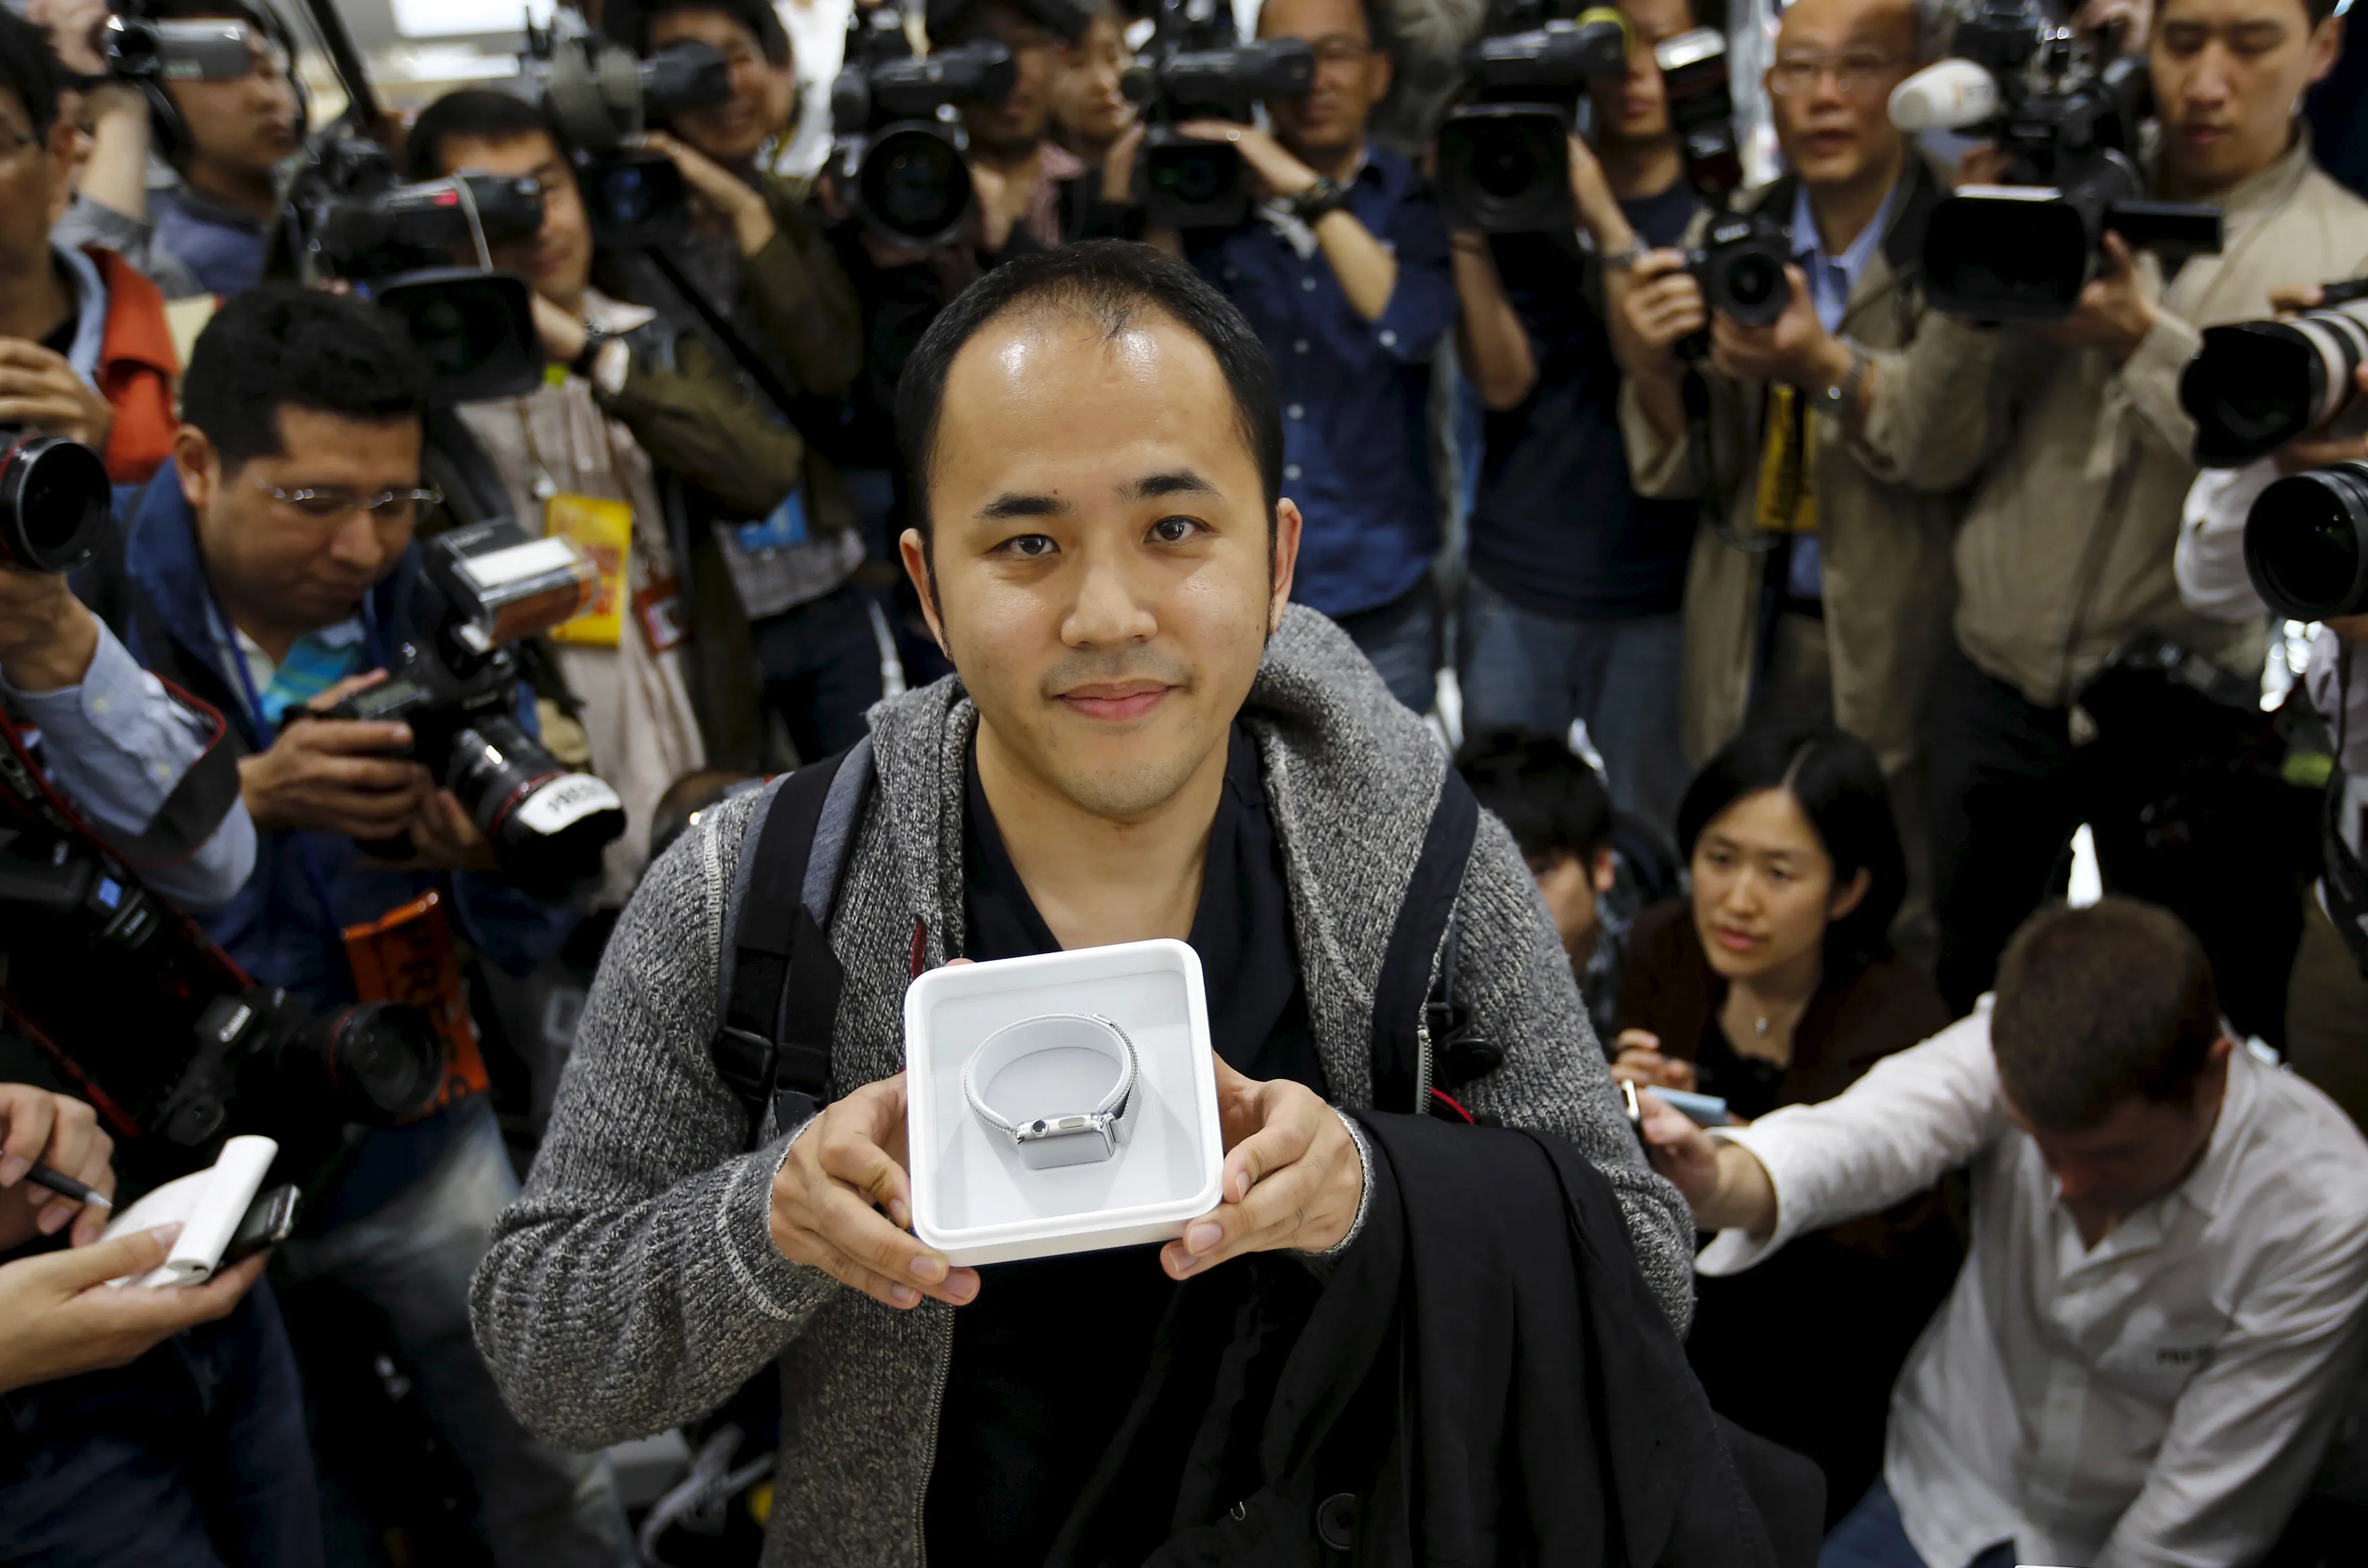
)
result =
(2021, 252)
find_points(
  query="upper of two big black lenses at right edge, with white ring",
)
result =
(2258, 385)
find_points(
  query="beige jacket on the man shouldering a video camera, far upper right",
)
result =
(2078, 468)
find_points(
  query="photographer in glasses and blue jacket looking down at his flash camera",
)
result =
(271, 570)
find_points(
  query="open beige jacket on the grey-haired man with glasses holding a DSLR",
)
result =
(1884, 544)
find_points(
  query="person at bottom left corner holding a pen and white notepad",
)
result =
(143, 1425)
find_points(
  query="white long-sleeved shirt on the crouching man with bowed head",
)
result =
(2156, 1401)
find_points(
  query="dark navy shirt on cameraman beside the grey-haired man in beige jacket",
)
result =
(1557, 525)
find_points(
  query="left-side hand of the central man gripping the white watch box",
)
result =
(830, 1197)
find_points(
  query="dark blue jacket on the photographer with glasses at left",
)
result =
(278, 927)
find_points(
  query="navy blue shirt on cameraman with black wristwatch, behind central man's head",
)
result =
(1356, 392)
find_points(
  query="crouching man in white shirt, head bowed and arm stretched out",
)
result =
(2161, 1309)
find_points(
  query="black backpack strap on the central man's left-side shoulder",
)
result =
(780, 979)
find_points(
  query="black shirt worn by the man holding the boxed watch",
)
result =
(1048, 1358)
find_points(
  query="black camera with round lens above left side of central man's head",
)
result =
(899, 127)
